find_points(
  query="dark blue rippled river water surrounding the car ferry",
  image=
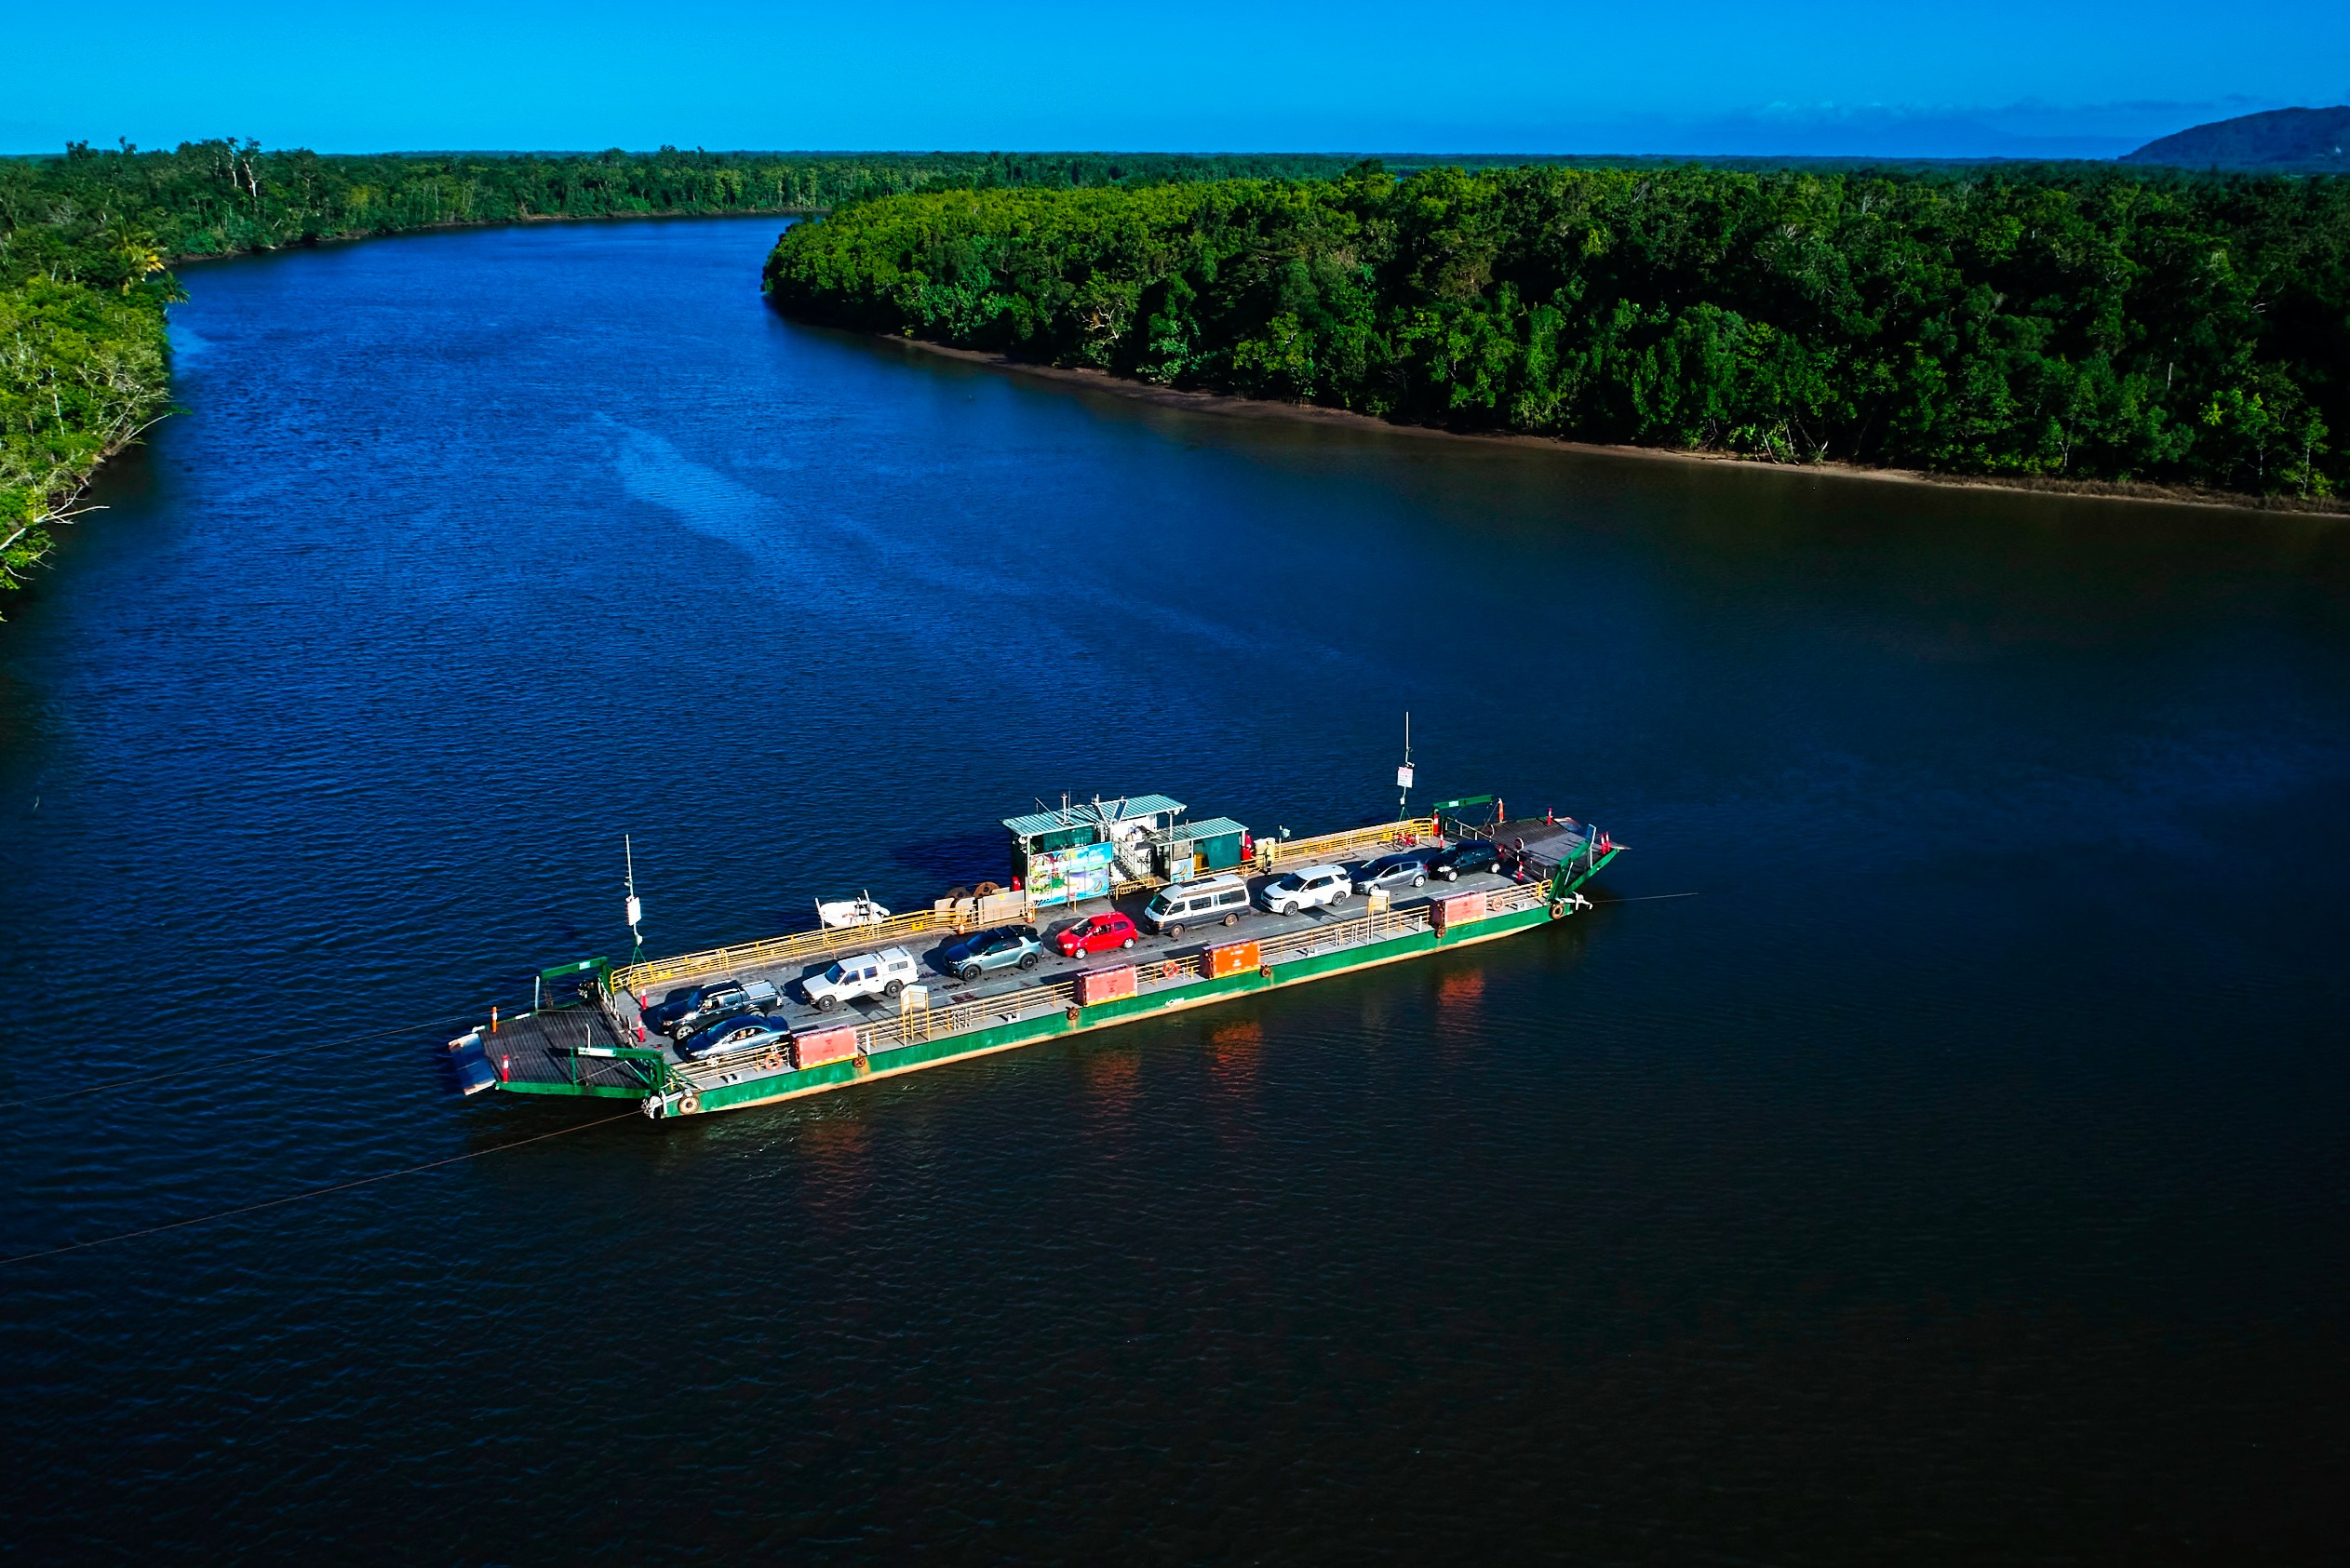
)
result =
(1959, 1174)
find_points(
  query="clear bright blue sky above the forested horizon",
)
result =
(1804, 76)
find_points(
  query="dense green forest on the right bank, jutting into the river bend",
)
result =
(2064, 323)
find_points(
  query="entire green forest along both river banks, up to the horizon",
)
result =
(2069, 321)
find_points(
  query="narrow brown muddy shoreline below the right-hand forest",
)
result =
(1315, 415)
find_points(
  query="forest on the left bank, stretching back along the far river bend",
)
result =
(88, 241)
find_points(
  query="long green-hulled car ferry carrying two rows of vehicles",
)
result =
(598, 1031)
